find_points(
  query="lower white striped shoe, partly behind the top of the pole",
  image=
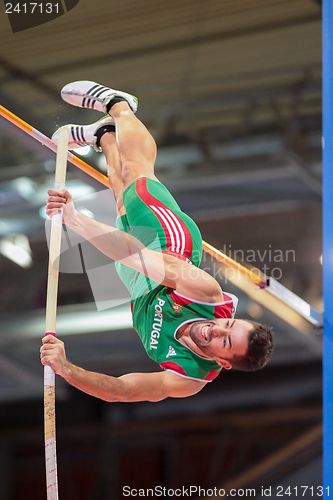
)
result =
(85, 135)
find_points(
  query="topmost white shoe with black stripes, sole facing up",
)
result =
(92, 95)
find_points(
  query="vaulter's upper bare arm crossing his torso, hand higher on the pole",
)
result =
(118, 245)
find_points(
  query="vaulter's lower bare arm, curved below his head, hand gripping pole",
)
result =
(127, 388)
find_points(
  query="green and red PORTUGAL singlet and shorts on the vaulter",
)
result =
(154, 217)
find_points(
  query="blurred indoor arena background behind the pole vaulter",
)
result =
(231, 90)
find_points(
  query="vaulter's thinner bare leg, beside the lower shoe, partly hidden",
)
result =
(110, 149)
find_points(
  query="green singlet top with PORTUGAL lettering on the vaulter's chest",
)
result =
(157, 318)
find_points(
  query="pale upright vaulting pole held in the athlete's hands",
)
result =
(50, 324)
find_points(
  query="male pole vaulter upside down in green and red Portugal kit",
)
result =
(183, 318)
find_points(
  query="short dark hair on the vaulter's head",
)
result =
(259, 350)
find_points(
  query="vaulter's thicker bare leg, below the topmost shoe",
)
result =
(136, 146)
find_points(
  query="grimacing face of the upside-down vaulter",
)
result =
(221, 339)
